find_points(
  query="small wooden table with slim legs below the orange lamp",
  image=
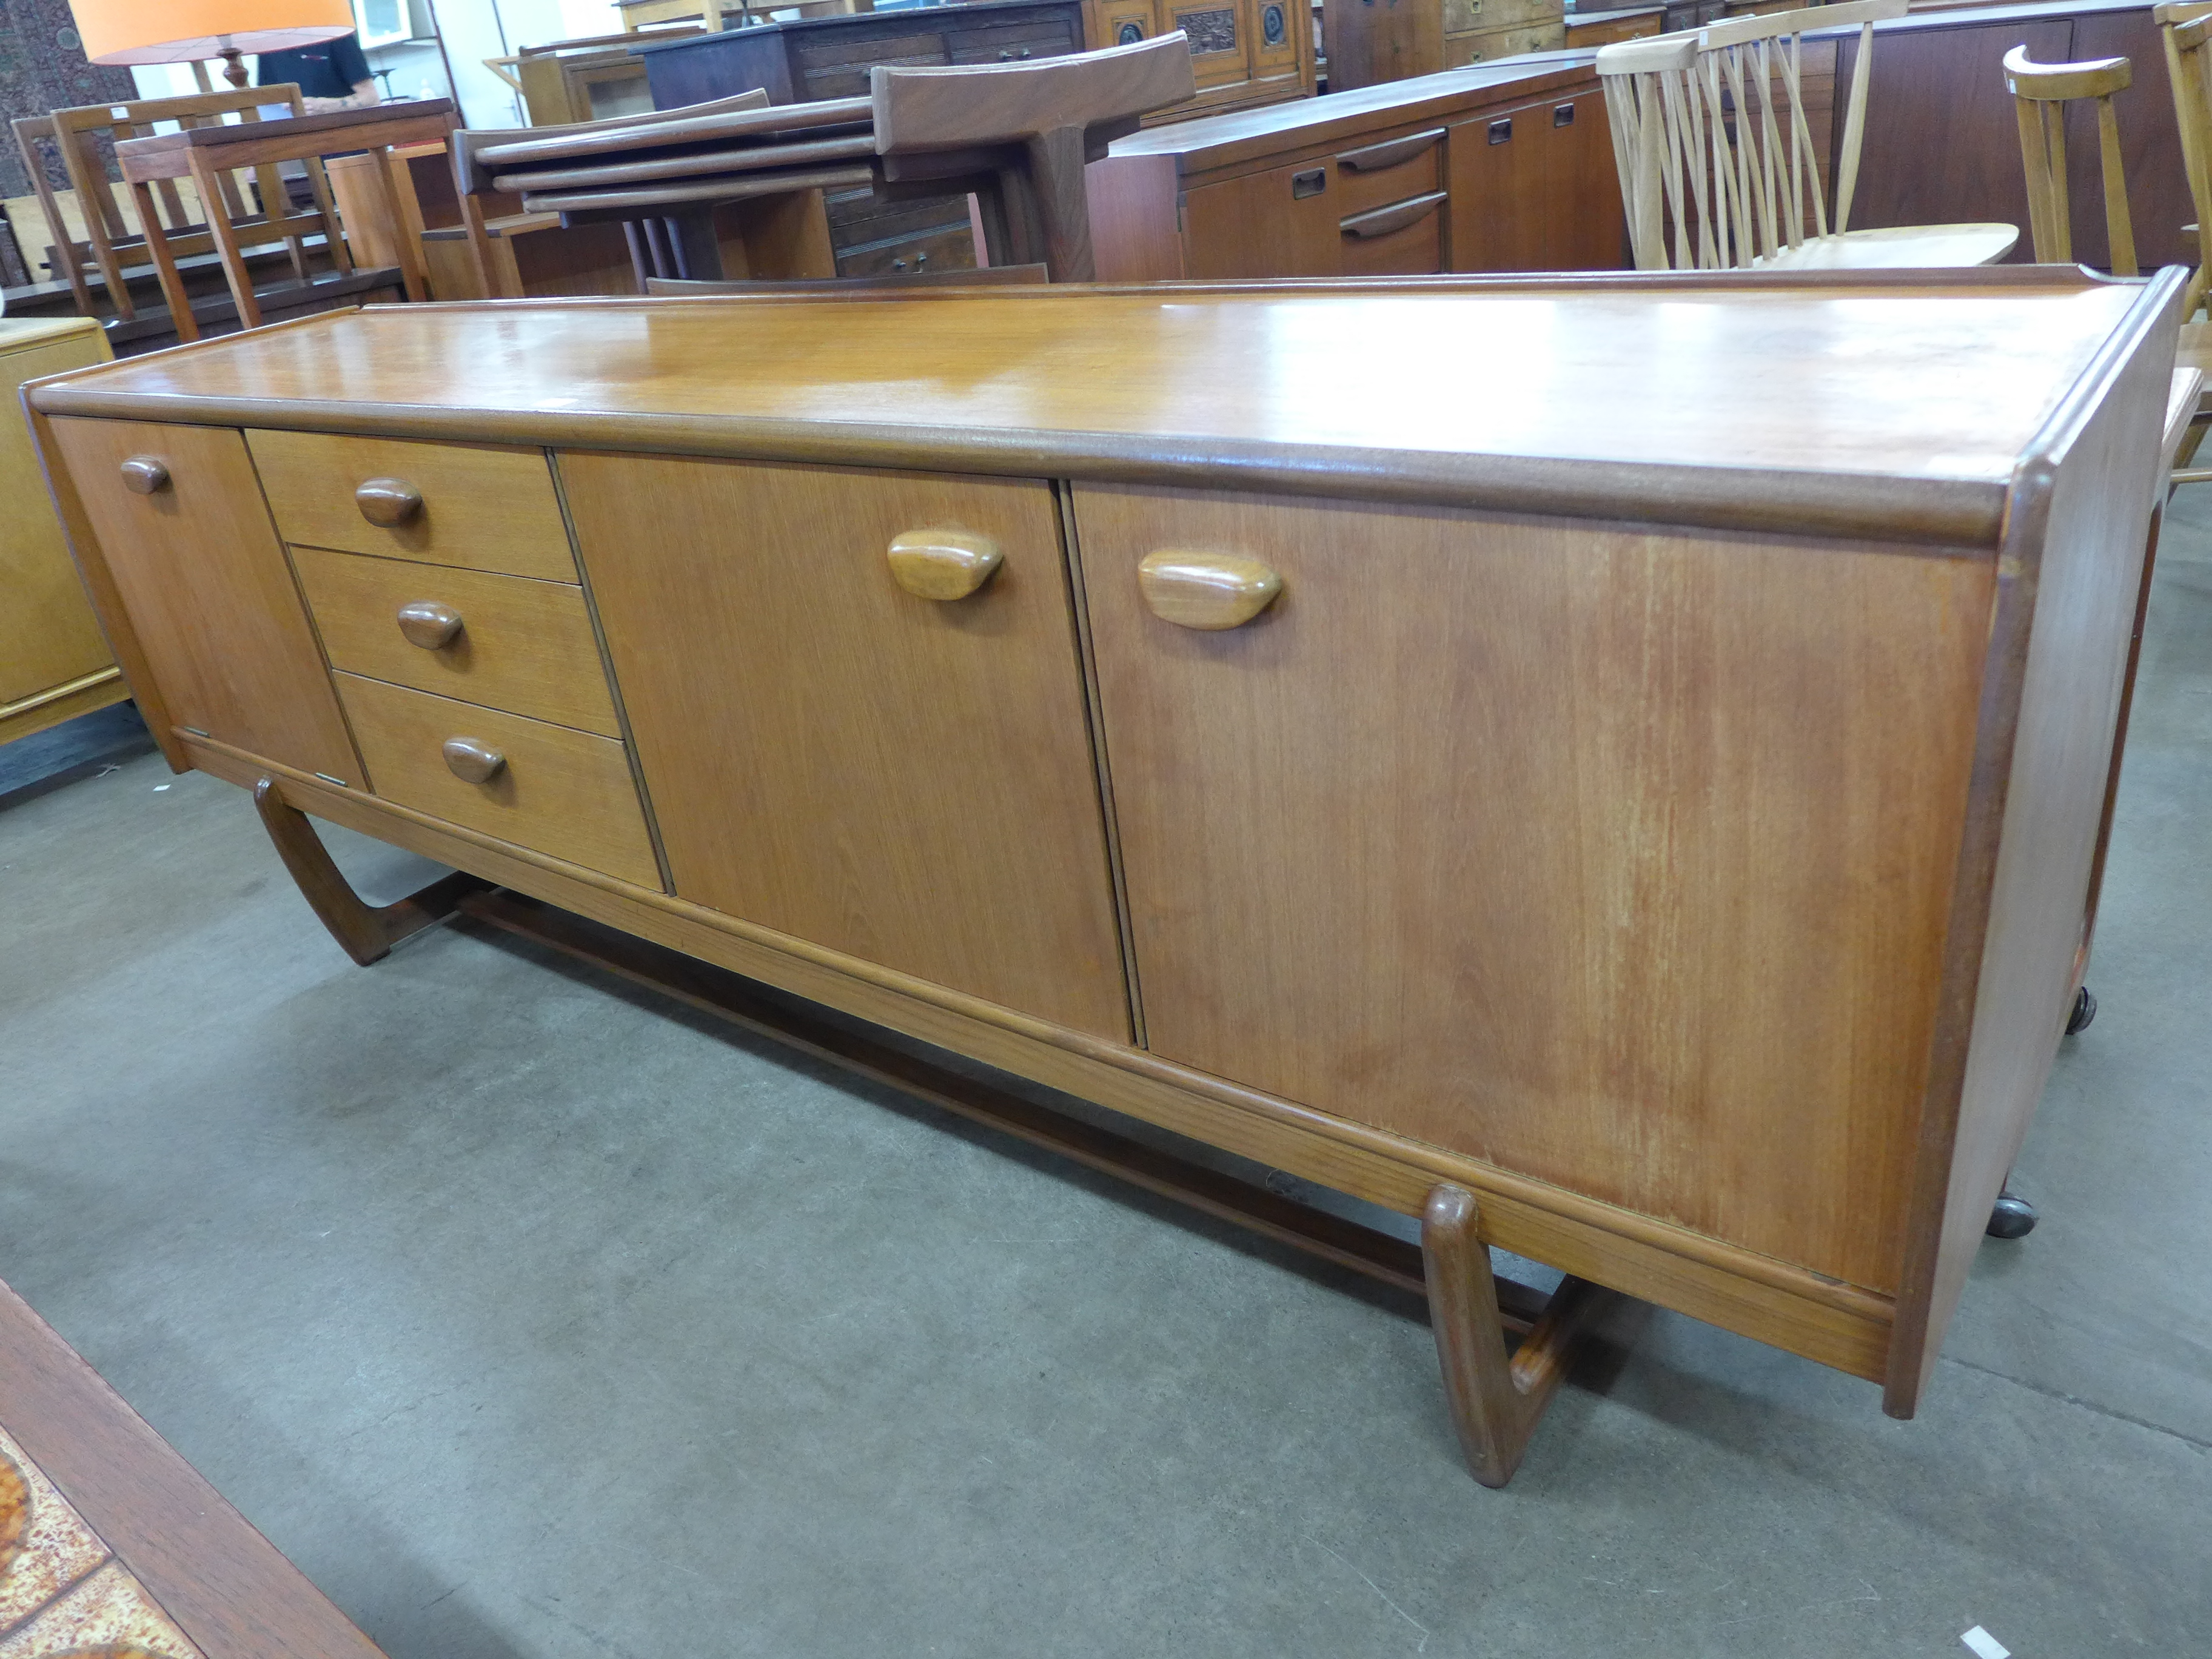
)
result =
(205, 154)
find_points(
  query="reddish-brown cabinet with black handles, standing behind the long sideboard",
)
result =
(1477, 169)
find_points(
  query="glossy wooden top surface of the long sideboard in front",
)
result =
(1890, 408)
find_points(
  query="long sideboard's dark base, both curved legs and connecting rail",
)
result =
(1496, 1399)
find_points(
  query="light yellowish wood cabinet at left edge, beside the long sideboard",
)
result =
(54, 665)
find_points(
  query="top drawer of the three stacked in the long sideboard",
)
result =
(481, 508)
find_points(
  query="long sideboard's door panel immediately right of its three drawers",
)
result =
(835, 758)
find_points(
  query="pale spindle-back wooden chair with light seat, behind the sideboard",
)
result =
(1713, 143)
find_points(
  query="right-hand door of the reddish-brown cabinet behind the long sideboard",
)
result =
(1536, 189)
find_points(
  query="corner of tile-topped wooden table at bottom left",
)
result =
(109, 1538)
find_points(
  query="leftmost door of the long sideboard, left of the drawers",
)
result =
(209, 589)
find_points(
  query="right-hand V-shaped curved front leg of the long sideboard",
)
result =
(1496, 1401)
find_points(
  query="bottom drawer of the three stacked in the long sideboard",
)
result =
(556, 791)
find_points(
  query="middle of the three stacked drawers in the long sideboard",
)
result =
(525, 647)
